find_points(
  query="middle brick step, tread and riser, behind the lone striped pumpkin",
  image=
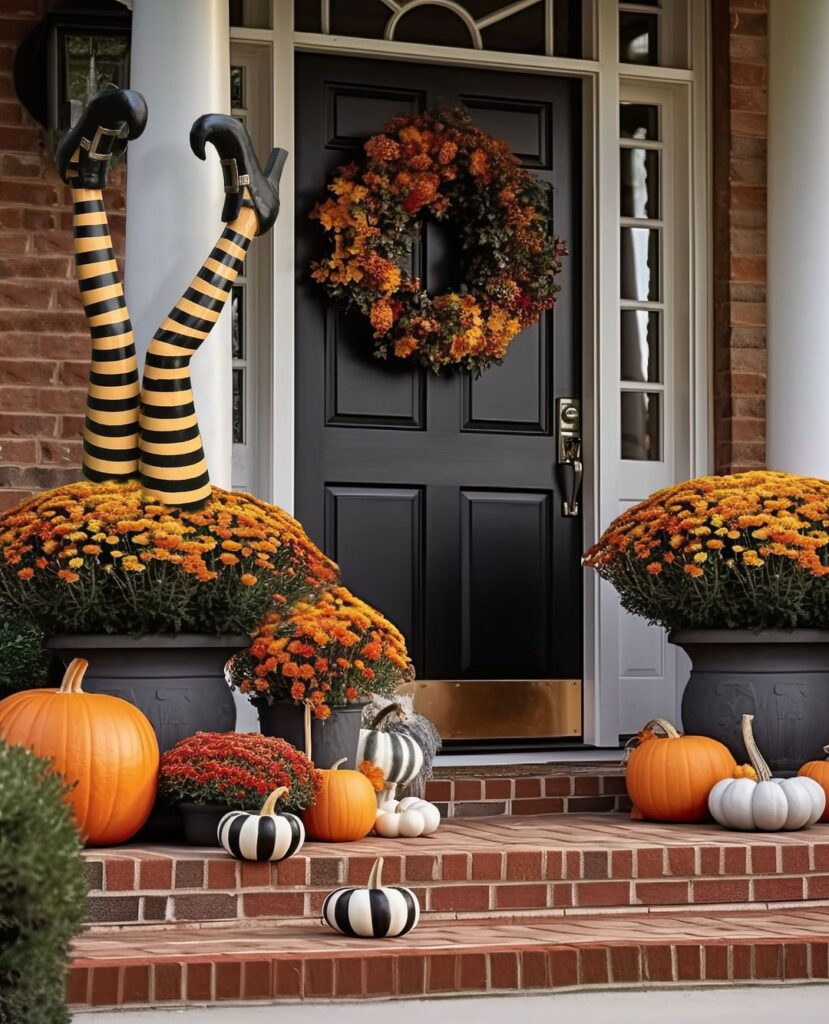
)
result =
(473, 868)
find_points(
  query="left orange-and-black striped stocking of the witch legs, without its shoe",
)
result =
(111, 430)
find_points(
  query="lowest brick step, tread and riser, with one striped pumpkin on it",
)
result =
(184, 964)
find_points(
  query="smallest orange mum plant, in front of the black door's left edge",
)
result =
(326, 656)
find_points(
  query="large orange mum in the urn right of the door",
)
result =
(747, 551)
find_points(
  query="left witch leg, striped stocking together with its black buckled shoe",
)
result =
(111, 428)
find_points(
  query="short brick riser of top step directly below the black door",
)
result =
(568, 788)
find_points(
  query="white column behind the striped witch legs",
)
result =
(181, 63)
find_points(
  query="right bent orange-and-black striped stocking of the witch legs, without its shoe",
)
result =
(172, 462)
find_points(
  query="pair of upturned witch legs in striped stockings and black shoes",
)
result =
(156, 436)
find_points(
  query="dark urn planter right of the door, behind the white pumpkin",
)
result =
(780, 677)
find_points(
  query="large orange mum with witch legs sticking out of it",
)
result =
(98, 559)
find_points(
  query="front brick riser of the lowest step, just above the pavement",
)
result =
(387, 974)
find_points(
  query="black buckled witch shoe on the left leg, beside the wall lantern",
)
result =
(110, 118)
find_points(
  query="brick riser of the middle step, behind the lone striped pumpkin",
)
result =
(128, 891)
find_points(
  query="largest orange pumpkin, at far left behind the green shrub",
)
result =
(103, 746)
